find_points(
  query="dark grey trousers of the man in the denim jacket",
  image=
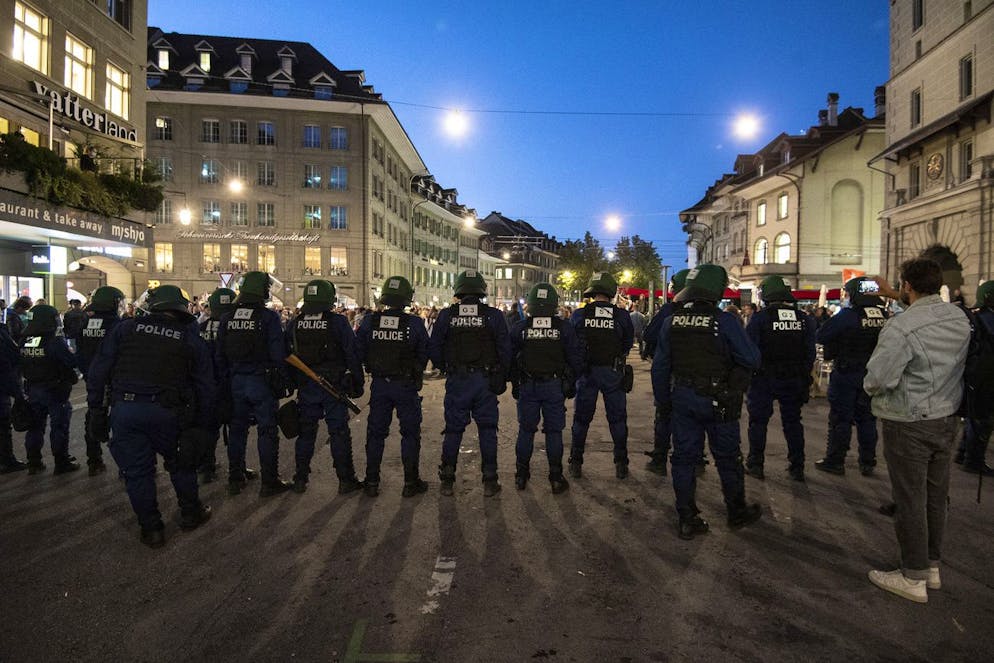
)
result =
(918, 455)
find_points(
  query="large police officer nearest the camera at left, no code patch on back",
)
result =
(161, 382)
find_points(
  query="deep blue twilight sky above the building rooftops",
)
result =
(559, 168)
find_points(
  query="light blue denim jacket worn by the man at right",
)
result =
(916, 371)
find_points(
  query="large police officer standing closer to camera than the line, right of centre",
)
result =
(701, 369)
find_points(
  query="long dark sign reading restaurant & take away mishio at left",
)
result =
(18, 208)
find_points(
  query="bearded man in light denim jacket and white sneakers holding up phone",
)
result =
(915, 378)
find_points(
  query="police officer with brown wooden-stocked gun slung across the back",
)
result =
(325, 342)
